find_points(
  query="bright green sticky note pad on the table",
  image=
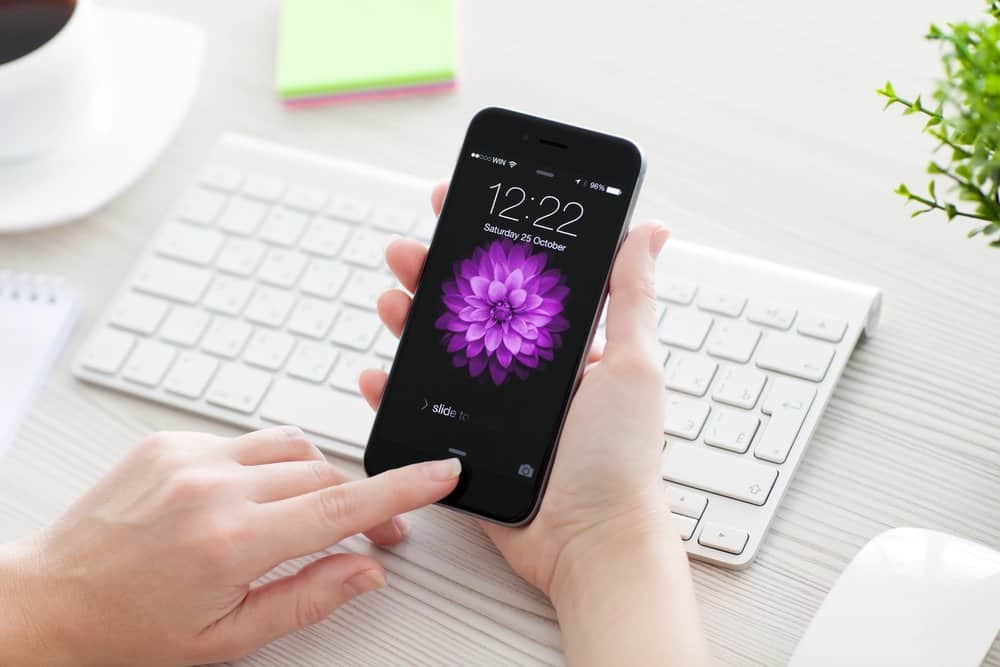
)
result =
(336, 48)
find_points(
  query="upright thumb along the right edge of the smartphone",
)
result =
(631, 323)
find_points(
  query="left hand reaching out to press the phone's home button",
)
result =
(155, 564)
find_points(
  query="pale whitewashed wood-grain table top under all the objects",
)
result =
(764, 136)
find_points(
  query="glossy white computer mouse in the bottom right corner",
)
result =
(910, 597)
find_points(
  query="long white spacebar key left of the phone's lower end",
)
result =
(319, 409)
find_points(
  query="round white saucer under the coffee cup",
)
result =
(151, 73)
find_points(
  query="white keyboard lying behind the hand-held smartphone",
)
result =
(255, 304)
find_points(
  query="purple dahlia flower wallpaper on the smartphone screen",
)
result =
(503, 311)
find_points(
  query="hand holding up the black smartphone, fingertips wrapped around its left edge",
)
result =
(603, 539)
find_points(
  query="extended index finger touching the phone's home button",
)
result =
(312, 522)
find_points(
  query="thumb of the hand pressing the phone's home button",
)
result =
(291, 603)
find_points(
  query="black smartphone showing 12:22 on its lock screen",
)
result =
(506, 307)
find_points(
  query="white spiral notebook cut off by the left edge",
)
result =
(36, 315)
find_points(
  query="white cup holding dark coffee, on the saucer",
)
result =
(47, 94)
